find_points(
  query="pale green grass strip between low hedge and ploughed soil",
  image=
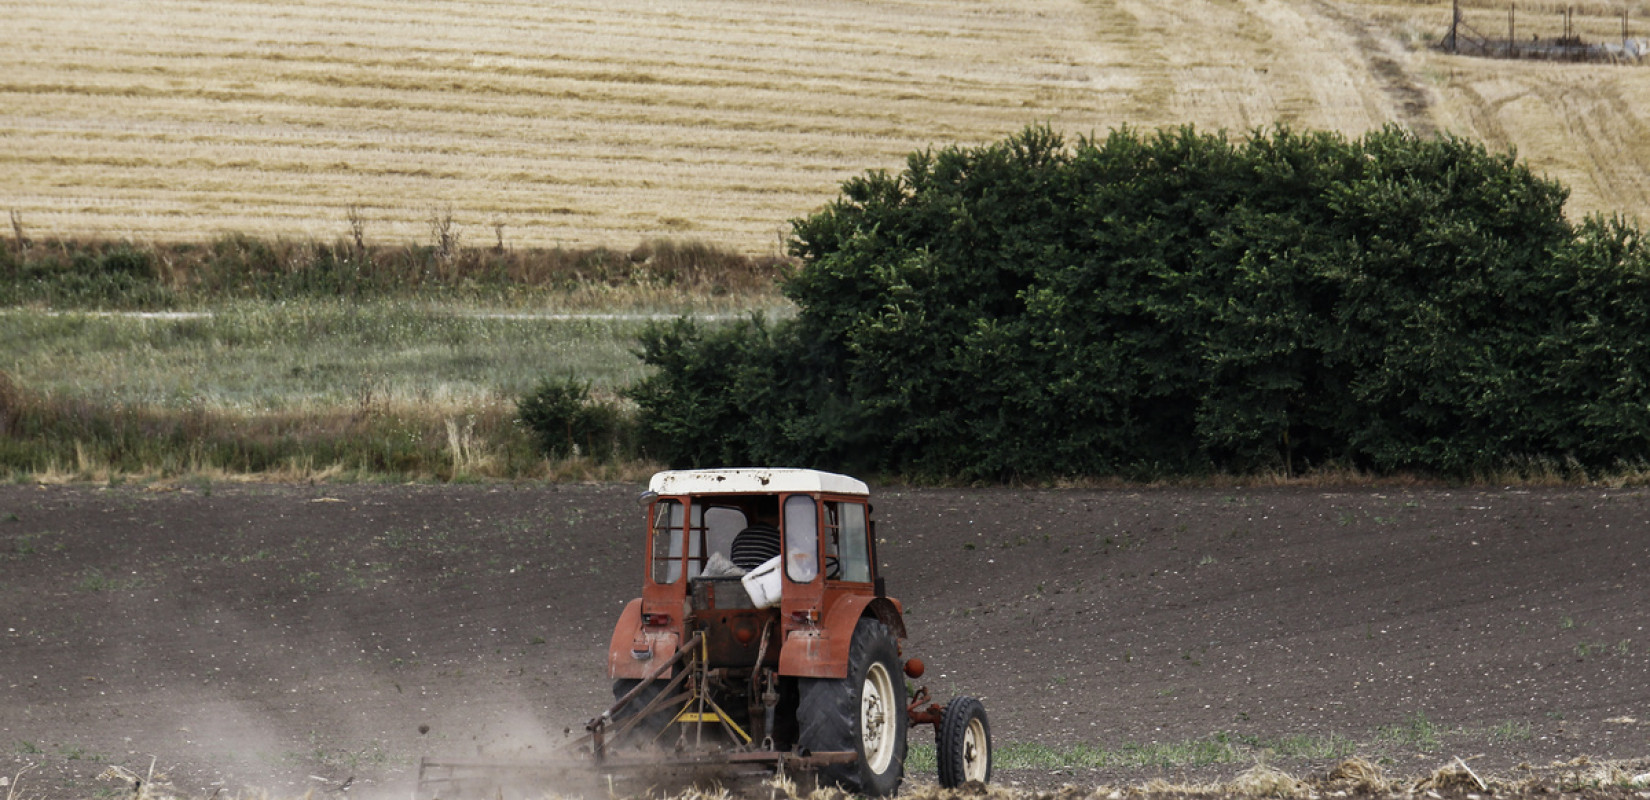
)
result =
(303, 390)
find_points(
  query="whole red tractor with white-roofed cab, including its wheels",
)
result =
(766, 638)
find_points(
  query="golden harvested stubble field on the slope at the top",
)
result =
(585, 123)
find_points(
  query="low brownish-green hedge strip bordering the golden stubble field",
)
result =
(123, 276)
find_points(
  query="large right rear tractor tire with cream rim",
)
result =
(864, 713)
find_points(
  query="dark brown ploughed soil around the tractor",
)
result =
(298, 638)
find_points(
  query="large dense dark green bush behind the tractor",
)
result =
(1179, 304)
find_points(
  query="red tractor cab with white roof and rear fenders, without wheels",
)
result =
(710, 530)
